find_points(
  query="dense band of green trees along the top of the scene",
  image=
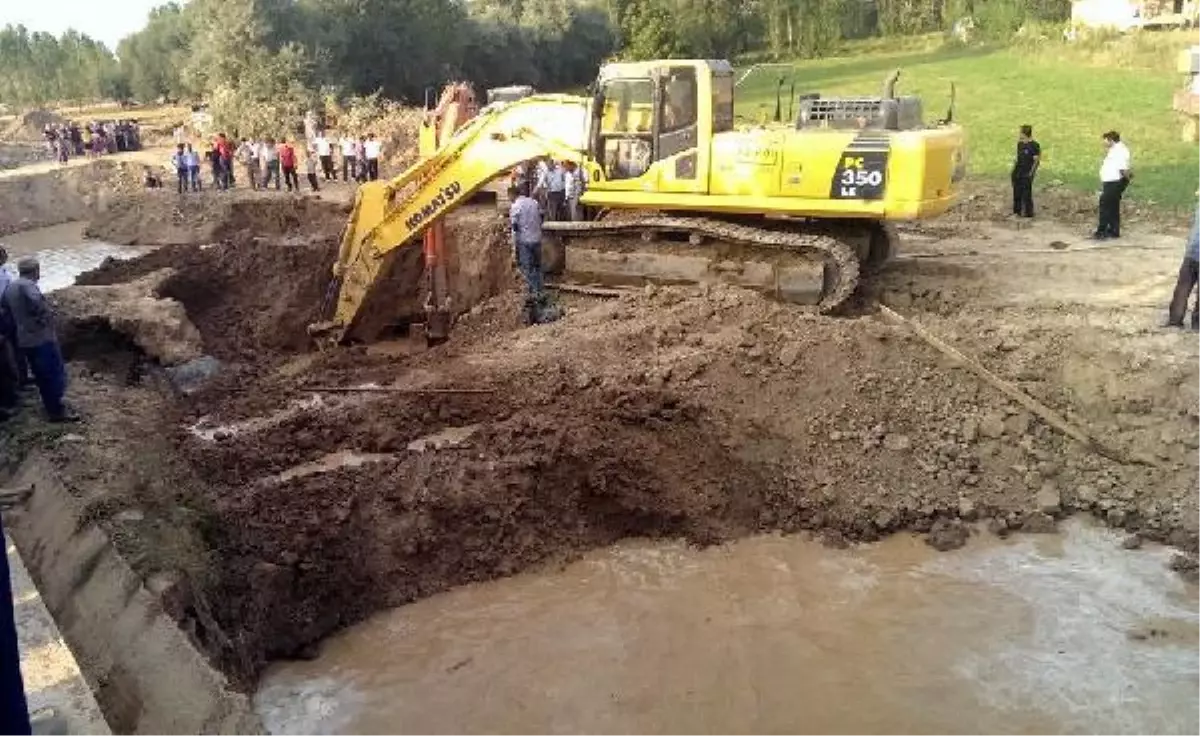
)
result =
(257, 61)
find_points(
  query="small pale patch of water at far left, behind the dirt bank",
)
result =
(64, 253)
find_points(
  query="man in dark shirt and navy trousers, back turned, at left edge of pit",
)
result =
(37, 339)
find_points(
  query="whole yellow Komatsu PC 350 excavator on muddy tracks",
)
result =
(683, 192)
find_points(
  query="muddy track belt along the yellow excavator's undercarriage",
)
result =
(839, 259)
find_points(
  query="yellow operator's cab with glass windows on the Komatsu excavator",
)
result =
(652, 124)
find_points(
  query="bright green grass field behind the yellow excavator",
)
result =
(1070, 95)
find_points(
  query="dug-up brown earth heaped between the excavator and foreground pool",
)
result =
(280, 514)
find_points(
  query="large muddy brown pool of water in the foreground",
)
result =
(1057, 635)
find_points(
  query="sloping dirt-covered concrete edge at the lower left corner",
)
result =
(148, 677)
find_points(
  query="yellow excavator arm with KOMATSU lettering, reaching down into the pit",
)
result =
(392, 216)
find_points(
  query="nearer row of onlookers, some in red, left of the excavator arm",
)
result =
(265, 164)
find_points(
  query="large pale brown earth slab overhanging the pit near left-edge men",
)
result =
(159, 327)
